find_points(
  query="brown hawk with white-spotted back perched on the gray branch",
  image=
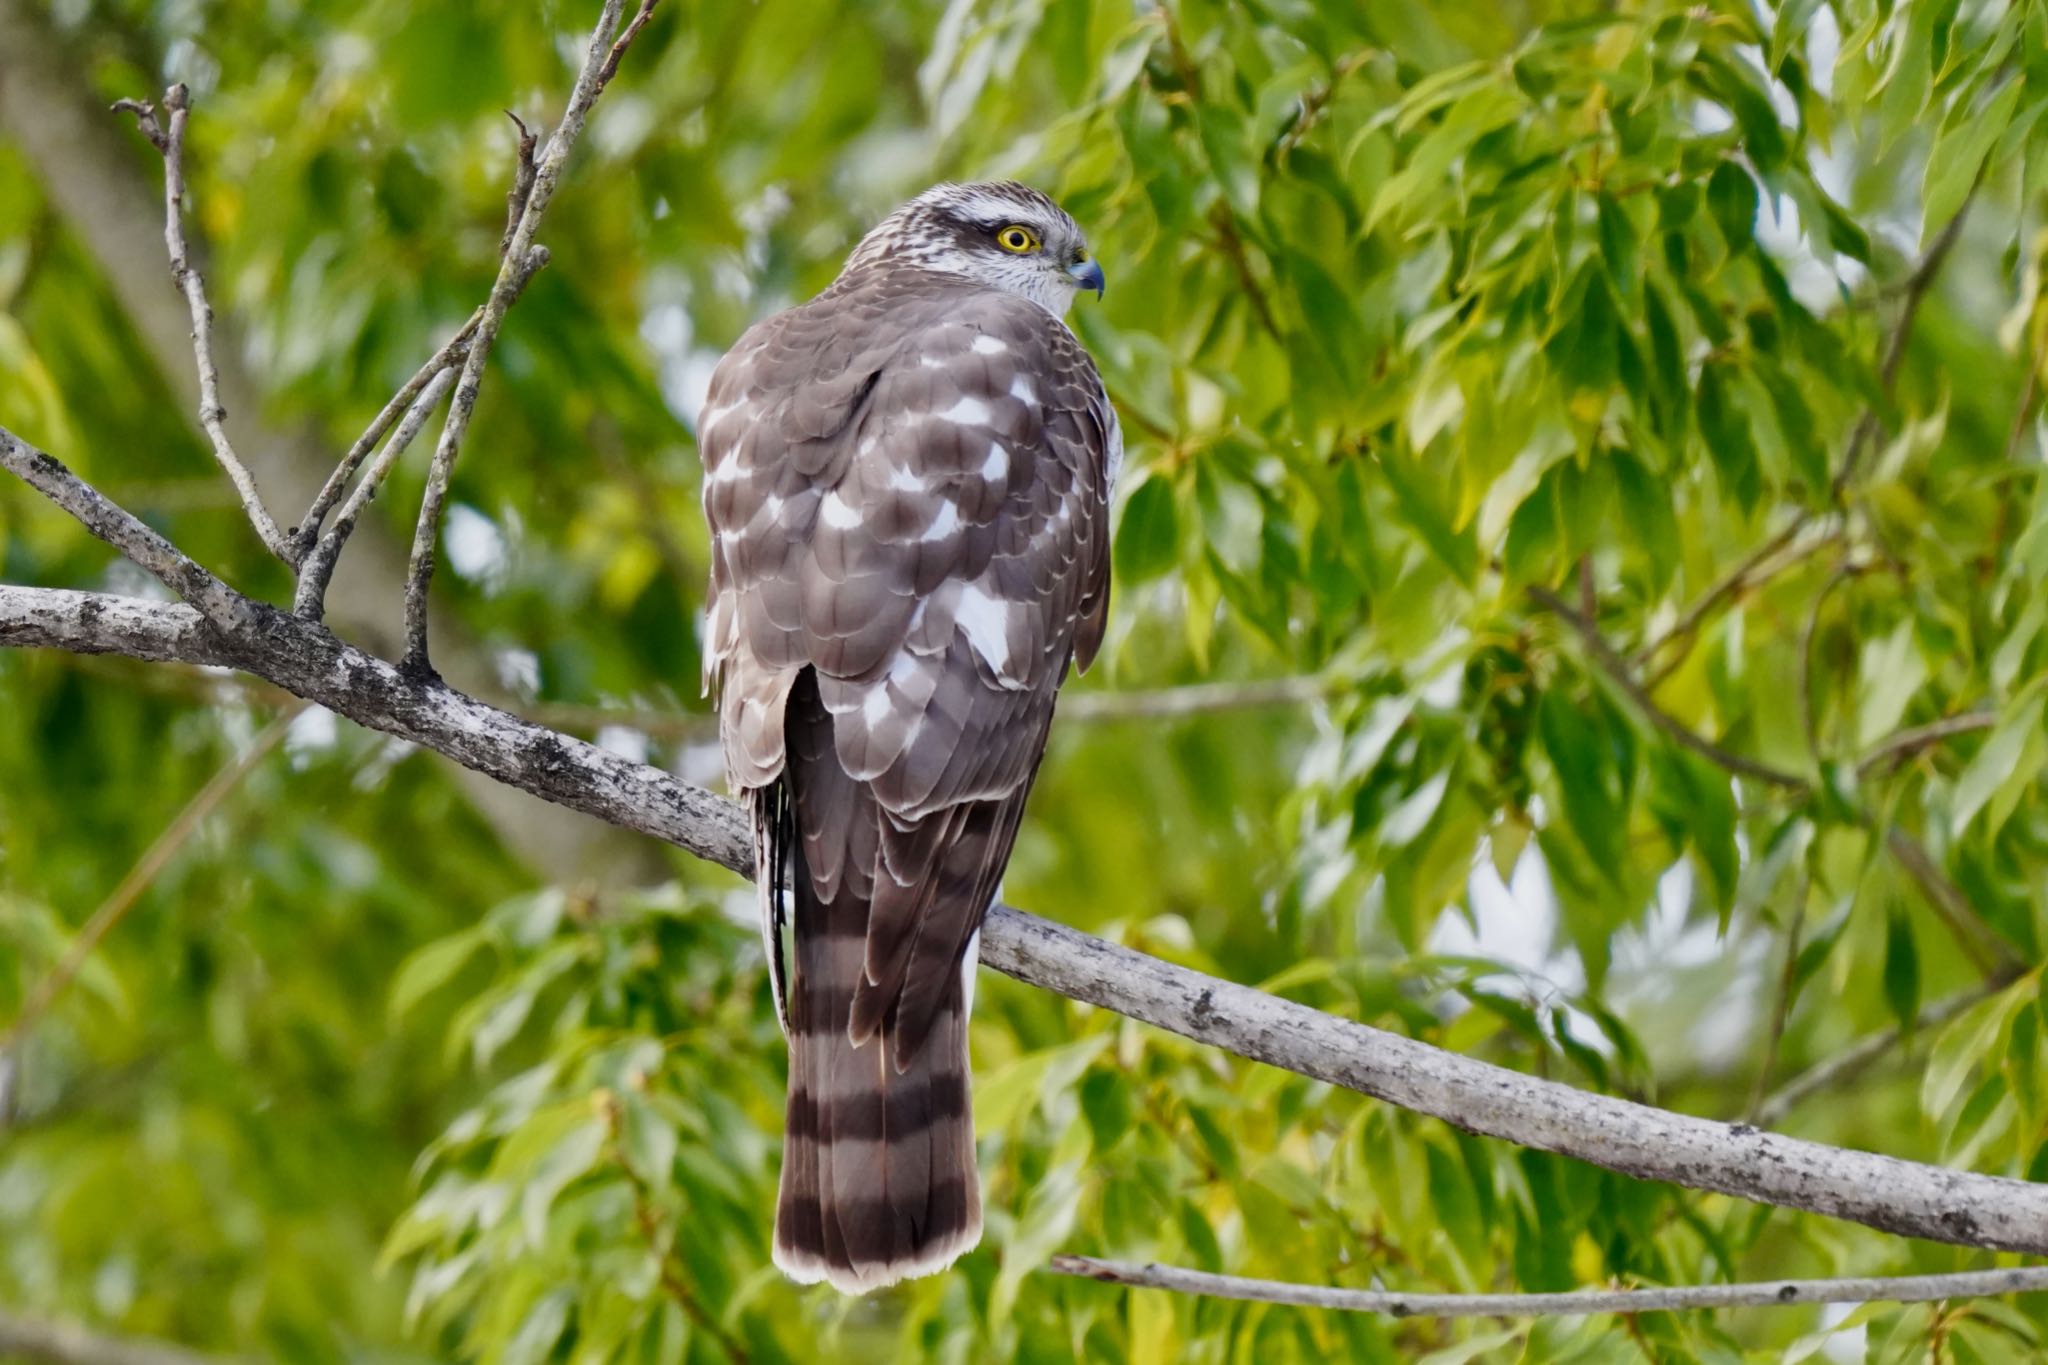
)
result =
(908, 488)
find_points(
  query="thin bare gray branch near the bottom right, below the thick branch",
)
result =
(1762, 1294)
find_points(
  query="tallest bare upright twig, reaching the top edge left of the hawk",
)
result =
(601, 62)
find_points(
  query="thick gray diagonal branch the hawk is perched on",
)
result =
(1881, 1192)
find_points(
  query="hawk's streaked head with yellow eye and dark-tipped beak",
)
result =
(998, 232)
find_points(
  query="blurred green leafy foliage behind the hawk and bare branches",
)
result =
(1619, 423)
